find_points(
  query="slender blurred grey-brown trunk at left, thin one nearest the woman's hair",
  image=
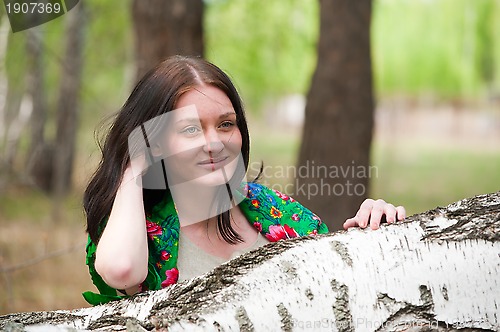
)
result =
(68, 104)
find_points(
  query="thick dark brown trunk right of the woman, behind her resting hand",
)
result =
(338, 124)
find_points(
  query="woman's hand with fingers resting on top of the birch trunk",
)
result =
(372, 212)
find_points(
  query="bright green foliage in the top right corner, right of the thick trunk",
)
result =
(440, 47)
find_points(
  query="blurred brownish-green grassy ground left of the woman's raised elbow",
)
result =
(42, 263)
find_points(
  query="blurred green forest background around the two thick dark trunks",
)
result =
(436, 139)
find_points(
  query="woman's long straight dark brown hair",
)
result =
(155, 94)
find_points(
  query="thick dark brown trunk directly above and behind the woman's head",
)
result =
(163, 28)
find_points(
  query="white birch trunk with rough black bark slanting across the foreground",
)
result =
(439, 270)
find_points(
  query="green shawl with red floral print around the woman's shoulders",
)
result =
(276, 215)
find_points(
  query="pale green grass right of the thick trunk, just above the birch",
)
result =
(424, 176)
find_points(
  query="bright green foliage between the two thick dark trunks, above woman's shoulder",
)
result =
(268, 47)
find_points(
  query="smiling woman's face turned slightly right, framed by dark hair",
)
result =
(202, 144)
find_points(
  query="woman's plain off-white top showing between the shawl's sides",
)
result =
(194, 261)
